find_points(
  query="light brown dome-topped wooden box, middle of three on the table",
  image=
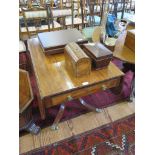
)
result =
(77, 62)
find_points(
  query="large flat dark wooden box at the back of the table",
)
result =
(54, 42)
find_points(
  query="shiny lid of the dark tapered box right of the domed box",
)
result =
(97, 50)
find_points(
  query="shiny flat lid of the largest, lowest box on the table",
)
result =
(60, 38)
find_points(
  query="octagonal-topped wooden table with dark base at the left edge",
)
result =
(25, 98)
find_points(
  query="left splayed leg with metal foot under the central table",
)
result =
(58, 117)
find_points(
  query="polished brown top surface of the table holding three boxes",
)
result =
(53, 78)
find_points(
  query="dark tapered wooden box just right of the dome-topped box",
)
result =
(100, 55)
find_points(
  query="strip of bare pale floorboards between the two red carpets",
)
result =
(75, 126)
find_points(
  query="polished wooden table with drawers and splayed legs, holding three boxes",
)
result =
(56, 85)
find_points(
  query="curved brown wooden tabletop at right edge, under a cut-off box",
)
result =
(123, 52)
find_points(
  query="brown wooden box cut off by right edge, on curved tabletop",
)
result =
(130, 39)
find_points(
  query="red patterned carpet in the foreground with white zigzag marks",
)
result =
(112, 139)
